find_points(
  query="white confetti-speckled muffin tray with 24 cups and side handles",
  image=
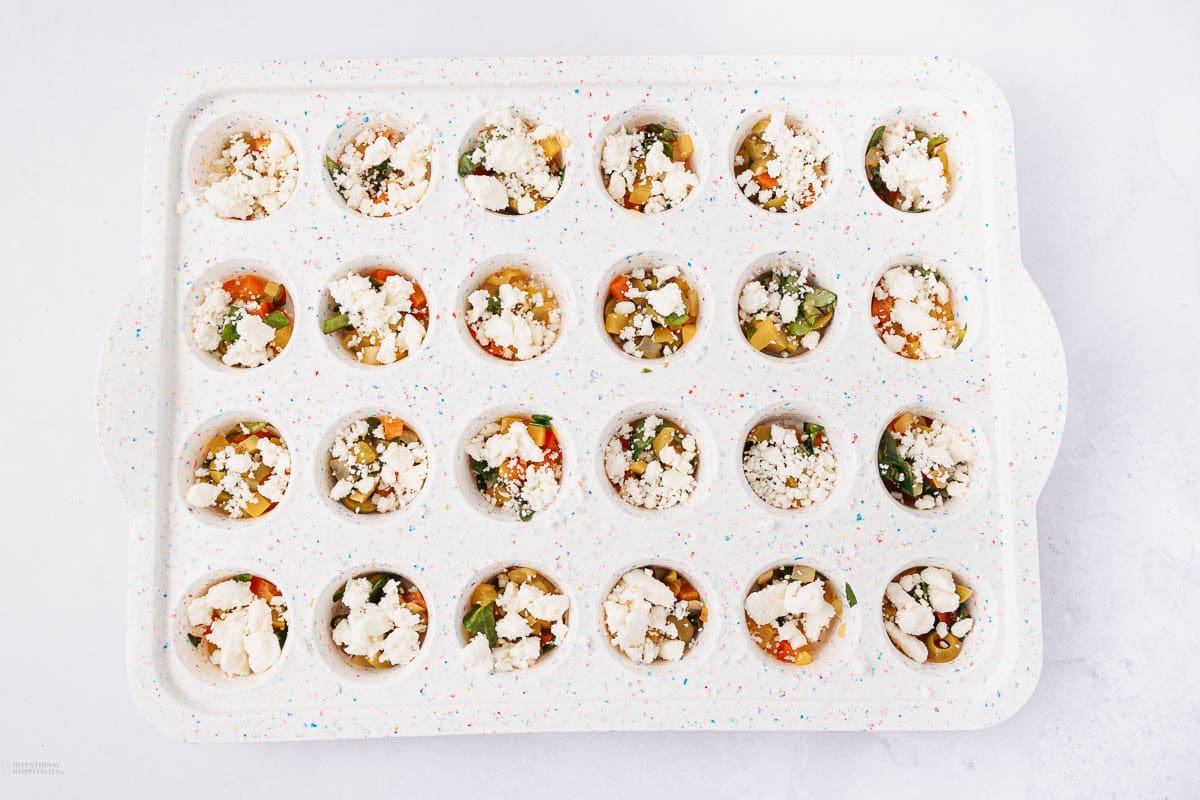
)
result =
(159, 398)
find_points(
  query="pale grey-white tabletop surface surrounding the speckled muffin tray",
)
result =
(1105, 97)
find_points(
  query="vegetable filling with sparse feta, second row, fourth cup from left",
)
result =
(651, 312)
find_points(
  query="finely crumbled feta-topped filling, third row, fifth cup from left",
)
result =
(785, 473)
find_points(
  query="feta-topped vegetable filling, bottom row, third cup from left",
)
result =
(513, 621)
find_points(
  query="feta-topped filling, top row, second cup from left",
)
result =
(382, 172)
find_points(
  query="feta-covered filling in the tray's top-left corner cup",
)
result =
(254, 176)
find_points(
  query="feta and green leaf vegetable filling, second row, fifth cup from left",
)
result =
(784, 314)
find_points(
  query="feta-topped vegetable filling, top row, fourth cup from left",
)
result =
(649, 169)
